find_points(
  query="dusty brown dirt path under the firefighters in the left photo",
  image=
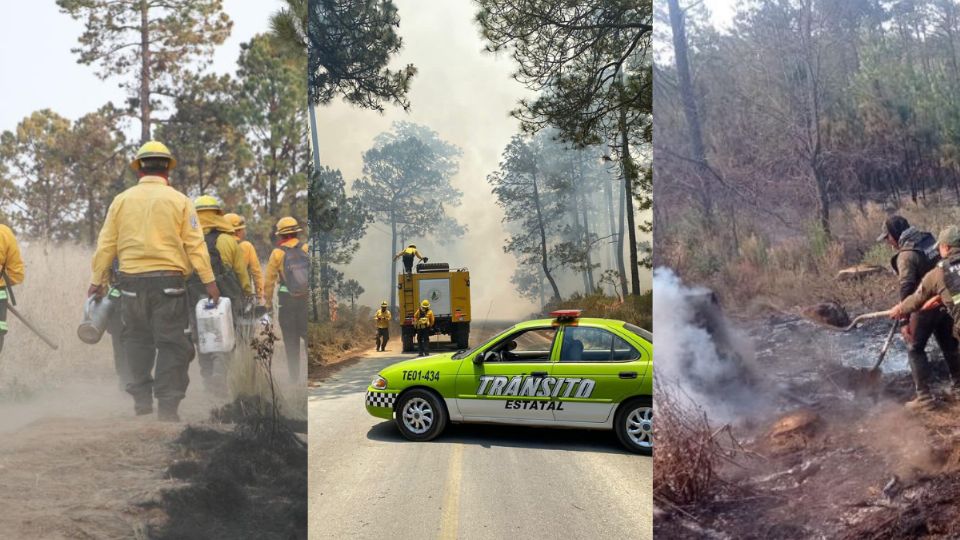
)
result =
(76, 463)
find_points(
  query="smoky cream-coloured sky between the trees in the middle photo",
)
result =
(465, 95)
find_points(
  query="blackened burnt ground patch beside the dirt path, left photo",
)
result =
(246, 482)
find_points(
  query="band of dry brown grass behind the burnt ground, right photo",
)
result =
(756, 268)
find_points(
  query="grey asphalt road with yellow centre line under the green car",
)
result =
(475, 481)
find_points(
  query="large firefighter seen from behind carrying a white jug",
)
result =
(154, 232)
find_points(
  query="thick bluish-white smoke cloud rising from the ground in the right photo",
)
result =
(699, 351)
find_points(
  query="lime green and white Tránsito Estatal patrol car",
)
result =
(563, 372)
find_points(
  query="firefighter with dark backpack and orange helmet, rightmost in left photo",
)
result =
(289, 267)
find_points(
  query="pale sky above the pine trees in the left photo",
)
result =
(37, 69)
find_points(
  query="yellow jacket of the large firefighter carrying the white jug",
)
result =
(151, 227)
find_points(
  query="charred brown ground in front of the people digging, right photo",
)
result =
(828, 455)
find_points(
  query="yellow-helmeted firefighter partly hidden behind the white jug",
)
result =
(230, 270)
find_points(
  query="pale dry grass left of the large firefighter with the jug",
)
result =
(52, 298)
